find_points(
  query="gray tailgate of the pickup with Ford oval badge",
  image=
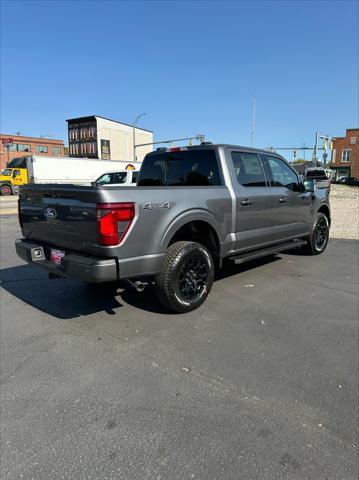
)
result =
(61, 215)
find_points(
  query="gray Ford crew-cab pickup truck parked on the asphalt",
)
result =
(192, 207)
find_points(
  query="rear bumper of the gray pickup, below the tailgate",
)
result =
(73, 265)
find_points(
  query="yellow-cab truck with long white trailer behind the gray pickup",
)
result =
(40, 169)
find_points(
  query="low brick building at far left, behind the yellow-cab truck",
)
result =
(25, 146)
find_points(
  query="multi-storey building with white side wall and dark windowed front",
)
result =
(99, 137)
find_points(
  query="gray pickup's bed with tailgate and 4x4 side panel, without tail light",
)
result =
(74, 225)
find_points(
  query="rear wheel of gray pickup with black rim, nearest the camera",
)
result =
(186, 276)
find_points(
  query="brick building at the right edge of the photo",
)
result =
(345, 154)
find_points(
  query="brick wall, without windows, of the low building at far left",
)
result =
(33, 142)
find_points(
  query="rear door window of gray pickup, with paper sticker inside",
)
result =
(249, 170)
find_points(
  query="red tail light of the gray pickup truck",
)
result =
(113, 221)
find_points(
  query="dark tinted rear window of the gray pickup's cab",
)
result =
(183, 168)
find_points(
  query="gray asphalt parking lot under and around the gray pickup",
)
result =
(259, 383)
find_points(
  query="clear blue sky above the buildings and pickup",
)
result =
(192, 66)
